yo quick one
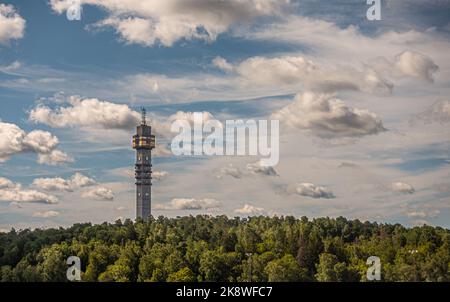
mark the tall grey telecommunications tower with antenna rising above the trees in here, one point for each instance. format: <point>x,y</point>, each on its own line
<point>143,142</point>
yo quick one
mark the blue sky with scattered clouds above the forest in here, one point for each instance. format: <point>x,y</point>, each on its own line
<point>258,59</point>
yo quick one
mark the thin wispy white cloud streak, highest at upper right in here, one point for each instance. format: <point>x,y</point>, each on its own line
<point>331,40</point>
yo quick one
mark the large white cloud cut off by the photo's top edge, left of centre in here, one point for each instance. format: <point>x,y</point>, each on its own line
<point>154,22</point>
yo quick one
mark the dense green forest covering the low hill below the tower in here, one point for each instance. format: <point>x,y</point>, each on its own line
<point>206,248</point>
